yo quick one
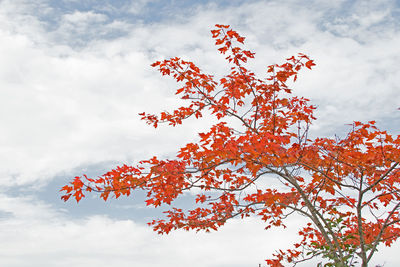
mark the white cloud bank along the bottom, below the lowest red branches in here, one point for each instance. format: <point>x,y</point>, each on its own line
<point>43,237</point>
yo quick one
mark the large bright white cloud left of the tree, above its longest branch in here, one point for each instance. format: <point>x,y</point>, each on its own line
<point>71,108</point>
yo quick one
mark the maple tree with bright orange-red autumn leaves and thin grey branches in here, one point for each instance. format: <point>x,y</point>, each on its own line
<point>258,160</point>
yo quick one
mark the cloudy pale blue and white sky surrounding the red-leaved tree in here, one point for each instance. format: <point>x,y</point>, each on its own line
<point>75,74</point>
